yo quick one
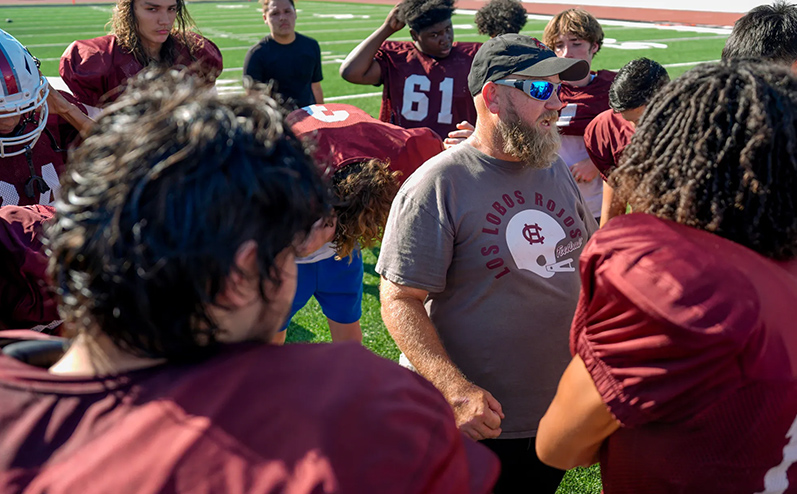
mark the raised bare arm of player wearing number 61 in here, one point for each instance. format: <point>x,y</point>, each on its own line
<point>360,66</point>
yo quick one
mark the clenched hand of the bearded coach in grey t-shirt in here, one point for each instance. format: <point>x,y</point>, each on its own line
<point>477,413</point>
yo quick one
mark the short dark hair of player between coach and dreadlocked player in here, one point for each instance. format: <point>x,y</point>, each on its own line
<point>636,83</point>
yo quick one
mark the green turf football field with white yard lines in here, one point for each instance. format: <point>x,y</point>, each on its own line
<point>235,26</point>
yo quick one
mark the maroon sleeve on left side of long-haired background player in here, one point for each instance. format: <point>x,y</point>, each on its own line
<point>85,67</point>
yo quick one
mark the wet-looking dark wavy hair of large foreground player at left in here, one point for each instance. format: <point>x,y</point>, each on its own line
<point>158,199</point>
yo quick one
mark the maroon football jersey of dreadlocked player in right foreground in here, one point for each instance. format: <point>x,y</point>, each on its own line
<point>690,339</point>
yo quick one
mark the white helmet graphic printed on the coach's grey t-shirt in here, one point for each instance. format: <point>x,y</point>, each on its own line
<point>532,237</point>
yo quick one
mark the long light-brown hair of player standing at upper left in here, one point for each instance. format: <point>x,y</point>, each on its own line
<point>123,25</point>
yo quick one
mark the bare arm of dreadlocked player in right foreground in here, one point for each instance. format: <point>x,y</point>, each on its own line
<point>577,422</point>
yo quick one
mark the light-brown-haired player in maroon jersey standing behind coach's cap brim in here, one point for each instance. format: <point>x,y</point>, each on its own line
<point>575,33</point>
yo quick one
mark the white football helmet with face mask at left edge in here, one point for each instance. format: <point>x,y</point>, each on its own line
<point>23,91</point>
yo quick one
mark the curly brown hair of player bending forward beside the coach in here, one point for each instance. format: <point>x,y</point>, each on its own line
<point>365,190</point>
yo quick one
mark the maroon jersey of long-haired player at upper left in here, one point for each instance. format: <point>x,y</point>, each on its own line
<point>94,69</point>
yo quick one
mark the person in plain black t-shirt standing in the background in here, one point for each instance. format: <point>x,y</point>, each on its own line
<point>285,58</point>
